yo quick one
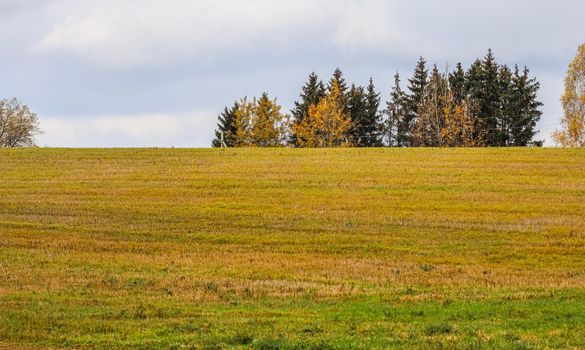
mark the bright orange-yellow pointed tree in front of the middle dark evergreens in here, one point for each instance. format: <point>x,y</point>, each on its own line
<point>326,124</point>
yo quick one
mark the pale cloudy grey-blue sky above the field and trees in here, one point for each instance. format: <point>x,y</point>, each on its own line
<point>155,73</point>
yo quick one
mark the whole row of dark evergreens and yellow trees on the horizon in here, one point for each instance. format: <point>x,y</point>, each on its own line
<point>488,104</point>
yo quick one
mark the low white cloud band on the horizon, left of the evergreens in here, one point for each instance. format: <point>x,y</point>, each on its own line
<point>159,130</point>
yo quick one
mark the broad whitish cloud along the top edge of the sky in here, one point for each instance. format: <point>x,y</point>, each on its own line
<point>115,33</point>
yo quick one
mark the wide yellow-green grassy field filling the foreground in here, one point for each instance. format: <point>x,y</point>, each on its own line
<point>299,249</point>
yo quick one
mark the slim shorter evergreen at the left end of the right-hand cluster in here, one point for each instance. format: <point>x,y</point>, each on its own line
<point>397,109</point>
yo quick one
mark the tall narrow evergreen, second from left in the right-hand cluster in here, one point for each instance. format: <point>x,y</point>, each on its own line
<point>417,90</point>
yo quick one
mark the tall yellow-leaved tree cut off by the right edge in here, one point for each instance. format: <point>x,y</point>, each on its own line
<point>573,122</point>
